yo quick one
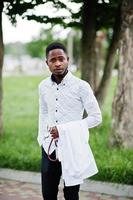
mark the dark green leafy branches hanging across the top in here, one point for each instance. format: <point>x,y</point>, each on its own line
<point>15,7</point>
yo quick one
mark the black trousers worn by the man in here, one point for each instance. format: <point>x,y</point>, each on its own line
<point>50,175</point>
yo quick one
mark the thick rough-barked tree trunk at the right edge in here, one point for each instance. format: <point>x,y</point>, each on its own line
<point>122,111</point>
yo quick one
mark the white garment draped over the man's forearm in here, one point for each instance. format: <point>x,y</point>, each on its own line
<point>74,152</point>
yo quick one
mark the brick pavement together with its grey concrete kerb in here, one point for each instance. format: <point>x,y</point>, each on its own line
<point>20,185</point>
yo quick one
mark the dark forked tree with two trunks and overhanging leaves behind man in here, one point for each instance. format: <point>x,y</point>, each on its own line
<point>89,18</point>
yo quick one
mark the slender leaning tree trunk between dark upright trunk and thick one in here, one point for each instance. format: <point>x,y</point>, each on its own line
<point>110,61</point>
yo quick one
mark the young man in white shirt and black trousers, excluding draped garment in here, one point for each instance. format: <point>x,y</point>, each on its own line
<point>63,98</point>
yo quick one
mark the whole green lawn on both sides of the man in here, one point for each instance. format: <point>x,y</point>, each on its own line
<point>19,148</point>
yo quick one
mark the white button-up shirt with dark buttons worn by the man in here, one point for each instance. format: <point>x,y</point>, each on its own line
<point>65,102</point>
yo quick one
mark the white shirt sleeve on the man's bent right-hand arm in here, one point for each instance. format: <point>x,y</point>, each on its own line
<point>90,104</point>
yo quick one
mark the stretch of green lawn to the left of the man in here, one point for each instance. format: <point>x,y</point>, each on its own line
<point>18,146</point>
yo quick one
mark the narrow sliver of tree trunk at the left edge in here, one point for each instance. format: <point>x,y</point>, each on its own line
<point>1,65</point>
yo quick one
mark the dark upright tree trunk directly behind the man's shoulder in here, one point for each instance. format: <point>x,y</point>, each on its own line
<point>88,41</point>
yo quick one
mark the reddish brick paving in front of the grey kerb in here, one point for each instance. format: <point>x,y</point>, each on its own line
<point>16,190</point>
